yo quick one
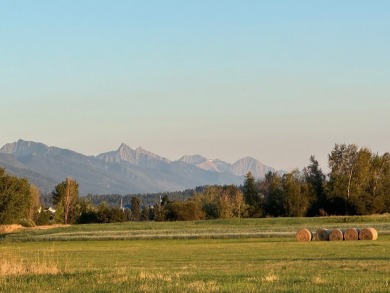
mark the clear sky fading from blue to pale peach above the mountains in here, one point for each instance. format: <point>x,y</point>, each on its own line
<point>275,80</point>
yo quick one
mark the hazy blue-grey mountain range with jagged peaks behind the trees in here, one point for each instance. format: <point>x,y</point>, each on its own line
<point>122,171</point>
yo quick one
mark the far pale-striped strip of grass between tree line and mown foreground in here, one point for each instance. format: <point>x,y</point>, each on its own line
<point>235,228</point>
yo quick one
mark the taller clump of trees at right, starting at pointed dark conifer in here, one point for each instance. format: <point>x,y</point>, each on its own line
<point>358,184</point>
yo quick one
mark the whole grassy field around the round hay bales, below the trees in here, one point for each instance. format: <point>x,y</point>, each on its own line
<point>247,255</point>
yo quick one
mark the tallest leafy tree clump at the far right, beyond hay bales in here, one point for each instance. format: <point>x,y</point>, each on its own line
<point>357,180</point>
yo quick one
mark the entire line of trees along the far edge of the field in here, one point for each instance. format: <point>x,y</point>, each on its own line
<point>358,184</point>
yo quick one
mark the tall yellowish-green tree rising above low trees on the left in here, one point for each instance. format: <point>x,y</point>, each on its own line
<point>65,198</point>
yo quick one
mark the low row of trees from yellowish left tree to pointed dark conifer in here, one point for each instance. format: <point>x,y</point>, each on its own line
<point>215,202</point>
